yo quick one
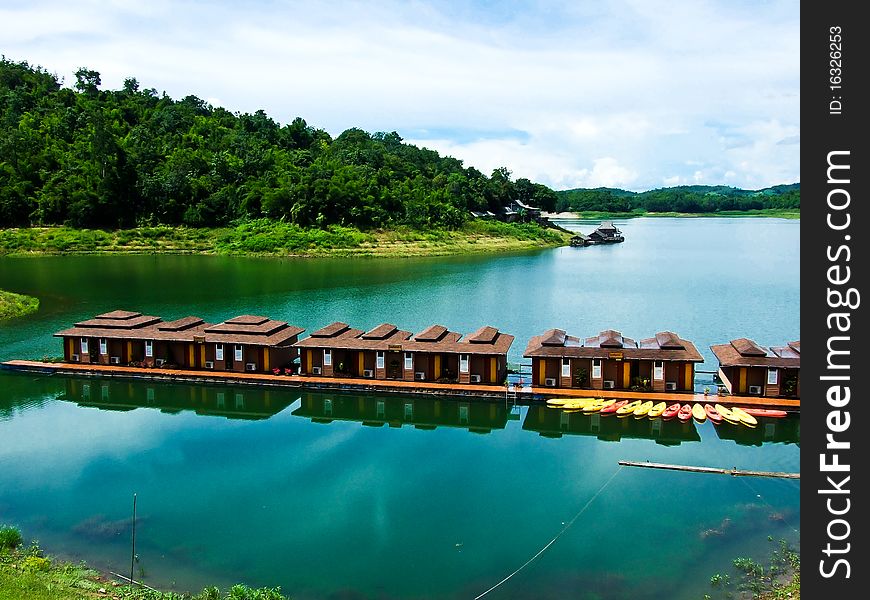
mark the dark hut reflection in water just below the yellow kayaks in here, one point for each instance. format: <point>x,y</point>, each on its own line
<point>551,422</point>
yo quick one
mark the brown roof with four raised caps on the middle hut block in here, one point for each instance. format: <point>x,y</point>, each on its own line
<point>435,338</point>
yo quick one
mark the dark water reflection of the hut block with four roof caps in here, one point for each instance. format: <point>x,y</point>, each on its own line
<point>422,413</point>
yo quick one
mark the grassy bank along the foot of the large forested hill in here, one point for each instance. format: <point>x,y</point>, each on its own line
<point>276,238</point>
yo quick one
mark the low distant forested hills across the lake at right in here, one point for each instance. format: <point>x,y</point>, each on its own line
<point>685,199</point>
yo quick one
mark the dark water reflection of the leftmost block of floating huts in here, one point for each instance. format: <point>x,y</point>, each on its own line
<point>229,402</point>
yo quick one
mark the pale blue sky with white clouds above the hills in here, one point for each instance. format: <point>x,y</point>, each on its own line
<point>635,94</point>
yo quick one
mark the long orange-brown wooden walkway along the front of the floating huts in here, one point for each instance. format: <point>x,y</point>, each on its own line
<point>525,394</point>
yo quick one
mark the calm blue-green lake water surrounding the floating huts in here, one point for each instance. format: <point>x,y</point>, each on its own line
<point>348,496</point>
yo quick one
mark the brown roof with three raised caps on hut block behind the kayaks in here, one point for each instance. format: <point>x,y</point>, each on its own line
<point>666,345</point>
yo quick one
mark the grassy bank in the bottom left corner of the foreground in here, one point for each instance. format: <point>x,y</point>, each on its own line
<point>25,572</point>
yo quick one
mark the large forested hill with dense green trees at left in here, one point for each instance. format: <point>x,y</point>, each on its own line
<point>89,157</point>
